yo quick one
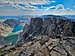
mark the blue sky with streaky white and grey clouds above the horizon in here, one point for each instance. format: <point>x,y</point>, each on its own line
<point>37,7</point>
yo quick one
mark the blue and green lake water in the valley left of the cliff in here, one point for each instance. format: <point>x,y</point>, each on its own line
<point>12,37</point>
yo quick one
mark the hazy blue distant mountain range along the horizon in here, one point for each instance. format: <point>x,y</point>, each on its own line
<point>25,16</point>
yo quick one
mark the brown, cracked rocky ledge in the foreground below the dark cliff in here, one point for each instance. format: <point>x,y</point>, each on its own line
<point>43,45</point>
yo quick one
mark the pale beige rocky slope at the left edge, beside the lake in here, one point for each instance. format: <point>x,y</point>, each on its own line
<point>5,29</point>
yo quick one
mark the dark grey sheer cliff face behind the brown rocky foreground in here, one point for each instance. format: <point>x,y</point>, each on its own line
<point>51,26</point>
